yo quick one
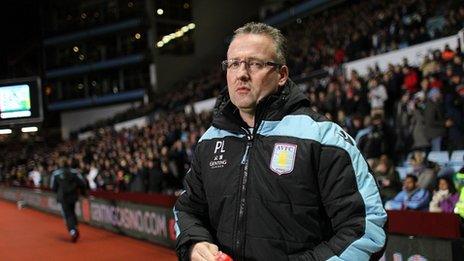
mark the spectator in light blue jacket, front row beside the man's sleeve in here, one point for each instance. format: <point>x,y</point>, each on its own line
<point>411,197</point>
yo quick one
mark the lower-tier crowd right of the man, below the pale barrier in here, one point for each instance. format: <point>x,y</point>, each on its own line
<point>394,112</point>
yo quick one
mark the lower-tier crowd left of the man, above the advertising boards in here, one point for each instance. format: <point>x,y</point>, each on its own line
<point>150,159</point>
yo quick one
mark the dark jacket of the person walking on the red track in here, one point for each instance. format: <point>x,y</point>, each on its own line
<point>68,183</point>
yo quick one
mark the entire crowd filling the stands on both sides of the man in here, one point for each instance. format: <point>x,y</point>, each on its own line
<point>389,113</point>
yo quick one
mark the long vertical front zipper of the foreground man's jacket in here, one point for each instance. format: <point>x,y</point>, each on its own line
<point>240,225</point>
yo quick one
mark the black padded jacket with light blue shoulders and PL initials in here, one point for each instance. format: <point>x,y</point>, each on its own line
<point>296,188</point>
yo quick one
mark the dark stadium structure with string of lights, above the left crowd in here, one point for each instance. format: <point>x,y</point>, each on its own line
<point>105,57</point>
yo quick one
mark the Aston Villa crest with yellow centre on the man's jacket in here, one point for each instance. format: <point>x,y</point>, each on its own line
<point>283,158</point>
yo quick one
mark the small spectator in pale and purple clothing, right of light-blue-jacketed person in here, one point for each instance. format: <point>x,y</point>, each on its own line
<point>444,197</point>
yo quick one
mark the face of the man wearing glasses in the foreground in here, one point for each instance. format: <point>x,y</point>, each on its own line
<point>247,88</point>
